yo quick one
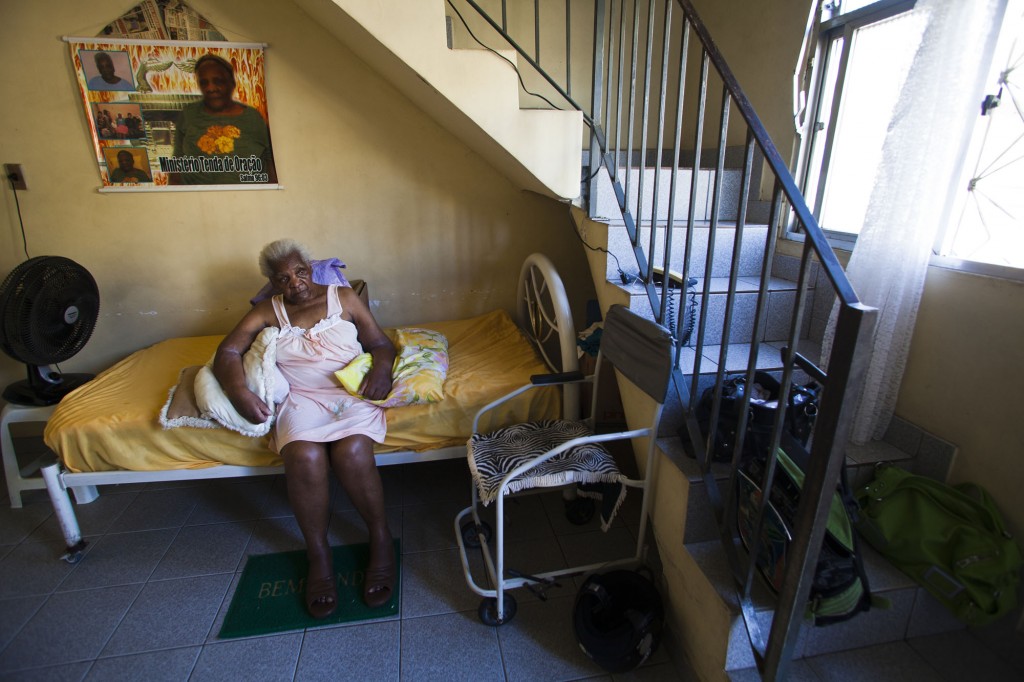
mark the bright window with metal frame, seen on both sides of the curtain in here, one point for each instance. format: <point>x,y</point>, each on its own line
<point>861,54</point>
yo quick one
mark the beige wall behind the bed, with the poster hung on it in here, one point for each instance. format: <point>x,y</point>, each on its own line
<point>369,179</point>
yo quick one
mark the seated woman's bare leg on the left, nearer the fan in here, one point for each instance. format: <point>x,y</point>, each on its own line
<point>308,479</point>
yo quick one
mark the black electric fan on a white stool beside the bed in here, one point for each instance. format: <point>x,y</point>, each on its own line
<point>49,309</point>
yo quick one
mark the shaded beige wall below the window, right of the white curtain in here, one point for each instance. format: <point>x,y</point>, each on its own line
<point>964,377</point>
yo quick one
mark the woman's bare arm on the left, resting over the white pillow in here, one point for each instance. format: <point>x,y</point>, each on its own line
<point>228,363</point>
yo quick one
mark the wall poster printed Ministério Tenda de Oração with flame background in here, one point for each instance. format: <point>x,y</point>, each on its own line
<point>167,115</point>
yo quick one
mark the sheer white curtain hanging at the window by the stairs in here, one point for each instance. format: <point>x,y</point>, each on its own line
<point>920,162</point>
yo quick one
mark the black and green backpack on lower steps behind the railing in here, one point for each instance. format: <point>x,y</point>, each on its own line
<point>839,589</point>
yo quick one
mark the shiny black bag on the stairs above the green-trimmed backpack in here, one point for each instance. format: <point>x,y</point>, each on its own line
<point>800,415</point>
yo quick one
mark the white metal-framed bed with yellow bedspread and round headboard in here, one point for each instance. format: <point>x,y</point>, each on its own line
<point>109,431</point>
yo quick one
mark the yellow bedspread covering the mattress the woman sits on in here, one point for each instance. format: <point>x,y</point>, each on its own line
<point>112,422</point>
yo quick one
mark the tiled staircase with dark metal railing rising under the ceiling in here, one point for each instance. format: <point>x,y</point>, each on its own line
<point>702,217</point>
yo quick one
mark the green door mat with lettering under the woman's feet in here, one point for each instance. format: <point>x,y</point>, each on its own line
<point>271,594</point>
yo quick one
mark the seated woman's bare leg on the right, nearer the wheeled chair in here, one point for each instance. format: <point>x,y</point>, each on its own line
<point>353,459</point>
